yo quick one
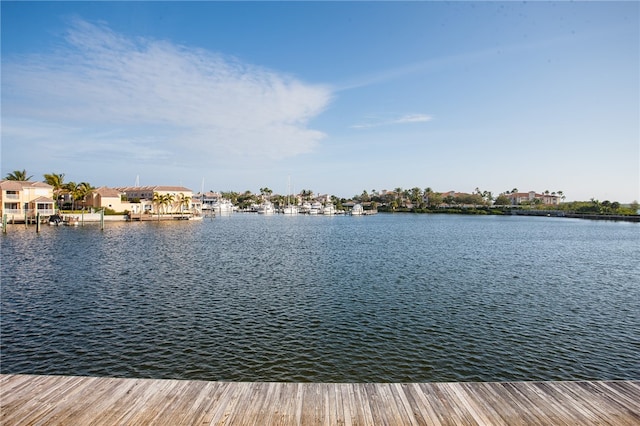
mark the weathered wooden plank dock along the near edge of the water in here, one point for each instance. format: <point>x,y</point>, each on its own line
<point>70,400</point>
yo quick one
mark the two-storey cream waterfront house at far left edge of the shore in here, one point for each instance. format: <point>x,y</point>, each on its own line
<point>21,200</point>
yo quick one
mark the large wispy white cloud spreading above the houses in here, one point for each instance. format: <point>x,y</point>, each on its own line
<point>150,100</point>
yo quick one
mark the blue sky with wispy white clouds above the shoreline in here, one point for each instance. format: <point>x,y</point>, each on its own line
<point>336,97</point>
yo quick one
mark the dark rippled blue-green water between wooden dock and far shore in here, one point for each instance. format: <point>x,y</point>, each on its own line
<point>386,298</point>
